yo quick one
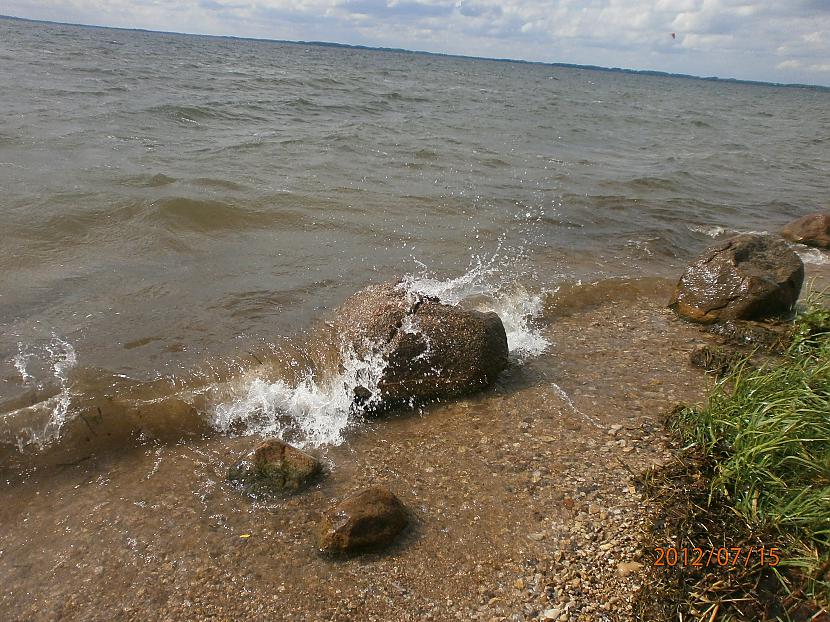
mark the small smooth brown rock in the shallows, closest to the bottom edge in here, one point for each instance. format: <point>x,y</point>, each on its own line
<point>366,521</point>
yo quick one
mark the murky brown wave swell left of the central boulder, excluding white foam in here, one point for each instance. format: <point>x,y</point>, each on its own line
<point>116,413</point>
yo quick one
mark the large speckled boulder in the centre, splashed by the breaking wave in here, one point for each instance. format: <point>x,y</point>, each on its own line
<point>429,350</point>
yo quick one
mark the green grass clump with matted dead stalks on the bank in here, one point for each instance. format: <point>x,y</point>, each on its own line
<point>756,471</point>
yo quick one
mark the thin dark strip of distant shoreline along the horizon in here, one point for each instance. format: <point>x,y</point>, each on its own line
<point>643,72</point>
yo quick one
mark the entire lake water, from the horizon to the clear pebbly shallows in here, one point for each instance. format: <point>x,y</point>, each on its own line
<point>181,214</point>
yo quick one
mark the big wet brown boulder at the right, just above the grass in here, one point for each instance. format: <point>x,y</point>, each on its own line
<point>746,277</point>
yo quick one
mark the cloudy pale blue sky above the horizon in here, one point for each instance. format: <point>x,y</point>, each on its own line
<point>775,40</point>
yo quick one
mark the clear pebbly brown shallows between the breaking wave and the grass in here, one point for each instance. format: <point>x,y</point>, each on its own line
<point>522,498</point>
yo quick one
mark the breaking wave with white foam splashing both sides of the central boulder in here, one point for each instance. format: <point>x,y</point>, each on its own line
<point>291,391</point>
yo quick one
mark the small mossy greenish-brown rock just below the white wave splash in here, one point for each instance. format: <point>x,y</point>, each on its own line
<point>274,468</point>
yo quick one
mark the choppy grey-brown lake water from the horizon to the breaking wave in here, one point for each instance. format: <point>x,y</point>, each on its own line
<point>168,202</point>
